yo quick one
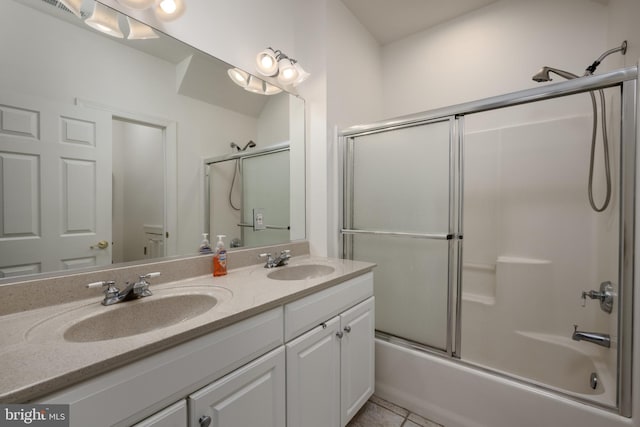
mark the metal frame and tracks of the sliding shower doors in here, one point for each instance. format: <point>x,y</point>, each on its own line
<point>627,80</point>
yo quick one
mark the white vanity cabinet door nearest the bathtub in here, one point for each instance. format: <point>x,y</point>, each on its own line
<point>357,358</point>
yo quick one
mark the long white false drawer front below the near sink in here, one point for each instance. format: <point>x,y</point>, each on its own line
<point>135,391</point>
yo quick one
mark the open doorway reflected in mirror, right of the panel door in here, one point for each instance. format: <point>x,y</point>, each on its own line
<point>138,191</point>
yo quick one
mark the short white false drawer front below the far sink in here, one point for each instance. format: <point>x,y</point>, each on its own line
<point>307,313</point>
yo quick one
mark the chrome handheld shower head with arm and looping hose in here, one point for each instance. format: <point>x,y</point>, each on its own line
<point>543,75</point>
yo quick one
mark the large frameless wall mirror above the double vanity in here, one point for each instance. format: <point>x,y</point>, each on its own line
<point>108,145</point>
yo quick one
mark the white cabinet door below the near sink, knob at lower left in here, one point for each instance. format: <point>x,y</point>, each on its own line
<point>253,395</point>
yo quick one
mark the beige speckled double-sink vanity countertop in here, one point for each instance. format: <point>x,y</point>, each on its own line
<point>36,360</point>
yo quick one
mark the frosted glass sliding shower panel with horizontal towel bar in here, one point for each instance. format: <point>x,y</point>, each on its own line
<point>400,215</point>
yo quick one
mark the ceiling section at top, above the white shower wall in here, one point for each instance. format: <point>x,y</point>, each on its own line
<point>391,20</point>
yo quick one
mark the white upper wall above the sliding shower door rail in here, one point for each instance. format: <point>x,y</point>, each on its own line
<point>491,51</point>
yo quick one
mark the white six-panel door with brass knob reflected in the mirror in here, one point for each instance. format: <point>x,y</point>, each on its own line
<point>55,186</point>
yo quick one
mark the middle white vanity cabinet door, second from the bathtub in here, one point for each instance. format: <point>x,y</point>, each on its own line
<point>313,377</point>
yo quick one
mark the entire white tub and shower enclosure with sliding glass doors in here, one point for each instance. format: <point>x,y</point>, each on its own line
<point>507,297</point>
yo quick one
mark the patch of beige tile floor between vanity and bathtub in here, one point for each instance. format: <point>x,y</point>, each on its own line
<point>380,413</point>
